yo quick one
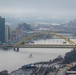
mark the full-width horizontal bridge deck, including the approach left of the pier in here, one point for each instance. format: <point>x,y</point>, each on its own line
<point>39,46</point>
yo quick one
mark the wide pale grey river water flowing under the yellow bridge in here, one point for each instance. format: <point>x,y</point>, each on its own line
<point>11,60</point>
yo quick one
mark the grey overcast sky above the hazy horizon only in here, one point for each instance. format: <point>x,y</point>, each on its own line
<point>41,8</point>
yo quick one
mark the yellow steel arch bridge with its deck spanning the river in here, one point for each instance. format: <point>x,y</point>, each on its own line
<point>21,44</point>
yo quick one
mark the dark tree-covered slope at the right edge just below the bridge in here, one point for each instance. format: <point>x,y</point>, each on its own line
<point>70,57</point>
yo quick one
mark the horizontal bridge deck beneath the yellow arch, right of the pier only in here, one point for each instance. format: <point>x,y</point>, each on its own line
<point>45,46</point>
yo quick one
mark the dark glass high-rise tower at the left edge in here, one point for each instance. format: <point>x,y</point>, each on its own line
<point>2,30</point>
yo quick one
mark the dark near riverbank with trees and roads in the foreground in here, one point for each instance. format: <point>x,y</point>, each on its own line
<point>42,67</point>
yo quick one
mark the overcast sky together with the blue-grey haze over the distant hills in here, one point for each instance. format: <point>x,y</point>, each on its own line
<point>38,10</point>
